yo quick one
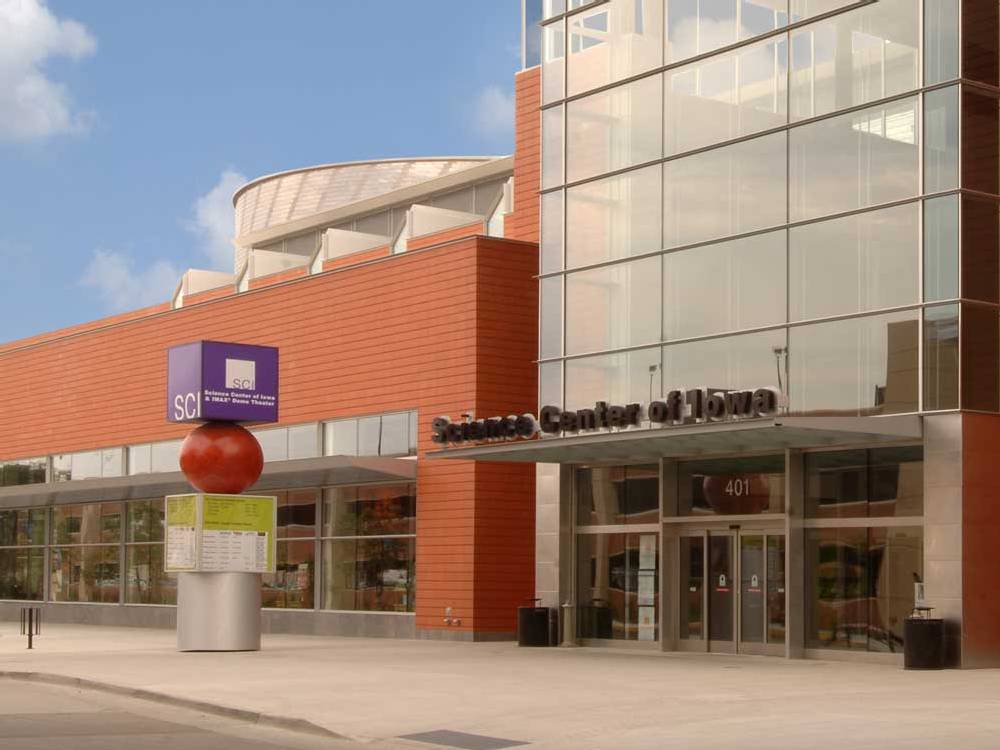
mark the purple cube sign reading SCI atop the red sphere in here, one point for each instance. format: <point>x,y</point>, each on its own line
<point>216,380</point>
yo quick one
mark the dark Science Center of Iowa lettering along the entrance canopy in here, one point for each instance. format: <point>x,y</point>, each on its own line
<point>679,407</point>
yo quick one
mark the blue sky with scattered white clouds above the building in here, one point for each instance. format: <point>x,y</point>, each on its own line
<point>125,126</point>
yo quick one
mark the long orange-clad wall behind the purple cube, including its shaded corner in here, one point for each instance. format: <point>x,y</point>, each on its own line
<point>444,330</point>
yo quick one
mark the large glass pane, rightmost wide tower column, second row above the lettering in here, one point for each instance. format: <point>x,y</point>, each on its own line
<point>863,262</point>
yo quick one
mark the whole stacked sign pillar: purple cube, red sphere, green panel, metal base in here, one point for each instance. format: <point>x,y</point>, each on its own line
<point>218,541</point>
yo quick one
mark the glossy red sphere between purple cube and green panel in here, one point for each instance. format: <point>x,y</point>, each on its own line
<point>221,457</point>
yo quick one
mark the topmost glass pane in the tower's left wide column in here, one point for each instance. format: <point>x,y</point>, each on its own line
<point>613,41</point>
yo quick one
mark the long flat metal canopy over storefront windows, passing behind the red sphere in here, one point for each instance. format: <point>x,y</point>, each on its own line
<point>280,475</point>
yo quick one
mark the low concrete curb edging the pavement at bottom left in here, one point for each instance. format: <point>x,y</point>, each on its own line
<point>253,717</point>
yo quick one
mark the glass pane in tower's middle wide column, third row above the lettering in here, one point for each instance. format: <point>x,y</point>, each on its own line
<point>725,191</point>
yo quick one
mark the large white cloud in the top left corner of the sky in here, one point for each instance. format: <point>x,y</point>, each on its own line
<point>32,105</point>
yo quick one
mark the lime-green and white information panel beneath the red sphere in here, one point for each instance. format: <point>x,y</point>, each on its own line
<point>220,533</point>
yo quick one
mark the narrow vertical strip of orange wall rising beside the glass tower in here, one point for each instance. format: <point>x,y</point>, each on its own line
<point>523,224</point>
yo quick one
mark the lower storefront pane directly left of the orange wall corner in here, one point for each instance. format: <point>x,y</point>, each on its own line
<point>374,575</point>
